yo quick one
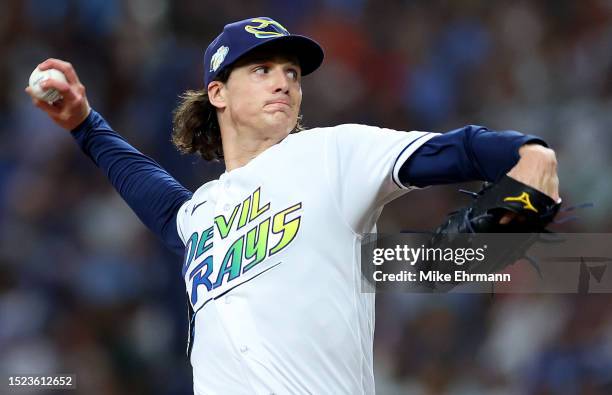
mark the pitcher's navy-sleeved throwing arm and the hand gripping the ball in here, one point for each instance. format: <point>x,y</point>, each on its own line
<point>149,190</point>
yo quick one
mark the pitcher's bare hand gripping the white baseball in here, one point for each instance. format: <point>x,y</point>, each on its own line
<point>70,111</point>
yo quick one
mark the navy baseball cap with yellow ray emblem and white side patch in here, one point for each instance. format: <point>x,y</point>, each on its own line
<point>239,38</point>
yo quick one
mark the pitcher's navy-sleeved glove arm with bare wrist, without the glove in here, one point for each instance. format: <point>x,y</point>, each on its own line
<point>477,153</point>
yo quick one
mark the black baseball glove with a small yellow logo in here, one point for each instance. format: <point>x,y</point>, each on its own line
<point>533,211</point>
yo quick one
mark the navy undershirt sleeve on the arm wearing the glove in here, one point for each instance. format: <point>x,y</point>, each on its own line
<point>467,154</point>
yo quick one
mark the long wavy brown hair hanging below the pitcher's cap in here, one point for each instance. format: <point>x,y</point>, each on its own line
<point>195,127</point>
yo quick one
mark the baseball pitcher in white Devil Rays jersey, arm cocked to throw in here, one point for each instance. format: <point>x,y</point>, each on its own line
<point>271,249</point>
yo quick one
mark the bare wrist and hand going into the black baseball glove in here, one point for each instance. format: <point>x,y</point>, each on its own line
<point>537,168</point>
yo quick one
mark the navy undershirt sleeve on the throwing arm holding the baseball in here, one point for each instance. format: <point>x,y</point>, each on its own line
<point>153,194</point>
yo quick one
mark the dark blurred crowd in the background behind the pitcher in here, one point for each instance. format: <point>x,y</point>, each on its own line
<point>86,289</point>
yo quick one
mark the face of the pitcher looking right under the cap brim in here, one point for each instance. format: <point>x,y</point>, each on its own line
<point>262,95</point>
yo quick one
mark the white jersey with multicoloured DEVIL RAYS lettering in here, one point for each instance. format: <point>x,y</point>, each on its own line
<point>272,265</point>
